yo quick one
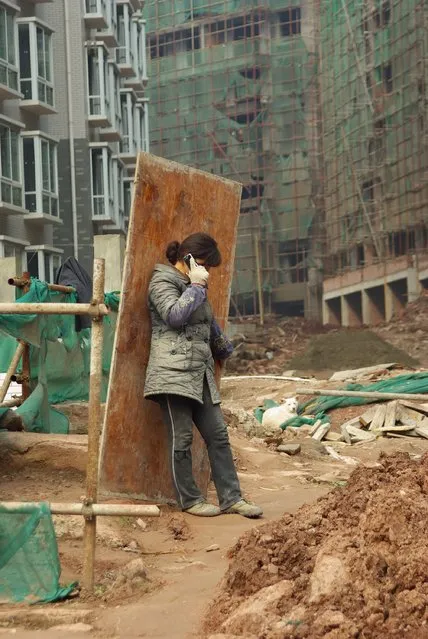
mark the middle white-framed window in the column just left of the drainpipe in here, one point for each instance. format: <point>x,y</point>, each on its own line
<point>40,174</point>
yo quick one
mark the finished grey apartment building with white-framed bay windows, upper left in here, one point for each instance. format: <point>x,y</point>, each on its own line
<point>73,116</point>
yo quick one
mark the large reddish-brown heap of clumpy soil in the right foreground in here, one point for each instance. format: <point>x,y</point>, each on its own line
<point>353,564</point>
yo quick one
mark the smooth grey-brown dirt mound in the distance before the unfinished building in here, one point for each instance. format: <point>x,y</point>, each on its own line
<point>345,349</point>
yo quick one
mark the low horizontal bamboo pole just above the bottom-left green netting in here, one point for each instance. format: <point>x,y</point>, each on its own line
<point>94,510</point>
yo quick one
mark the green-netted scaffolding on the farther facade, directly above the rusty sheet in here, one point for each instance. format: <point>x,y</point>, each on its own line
<point>234,92</point>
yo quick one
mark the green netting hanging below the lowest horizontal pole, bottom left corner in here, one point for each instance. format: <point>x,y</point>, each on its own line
<point>29,561</point>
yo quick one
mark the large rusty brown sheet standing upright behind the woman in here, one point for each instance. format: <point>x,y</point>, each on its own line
<point>170,202</point>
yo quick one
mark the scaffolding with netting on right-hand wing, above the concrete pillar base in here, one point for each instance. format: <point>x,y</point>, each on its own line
<point>373,81</point>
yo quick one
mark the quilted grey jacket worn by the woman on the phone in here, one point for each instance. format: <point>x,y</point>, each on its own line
<point>181,356</point>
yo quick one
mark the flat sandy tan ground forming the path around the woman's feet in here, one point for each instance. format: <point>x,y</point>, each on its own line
<point>182,575</point>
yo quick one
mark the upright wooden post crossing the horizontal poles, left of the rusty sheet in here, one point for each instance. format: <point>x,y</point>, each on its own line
<point>94,419</point>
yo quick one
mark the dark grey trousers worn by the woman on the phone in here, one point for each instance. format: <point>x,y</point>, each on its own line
<point>180,414</point>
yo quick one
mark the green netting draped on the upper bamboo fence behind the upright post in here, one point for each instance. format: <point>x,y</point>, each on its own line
<point>59,357</point>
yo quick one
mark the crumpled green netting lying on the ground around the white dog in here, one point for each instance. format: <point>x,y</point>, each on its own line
<point>317,408</point>
